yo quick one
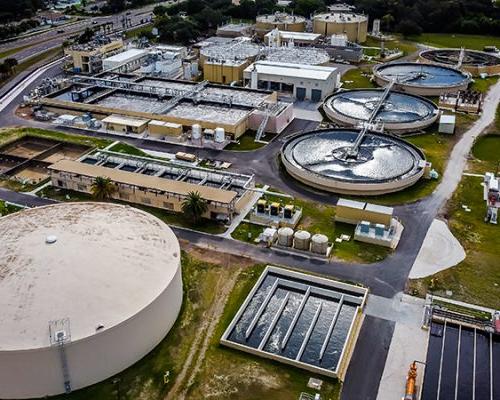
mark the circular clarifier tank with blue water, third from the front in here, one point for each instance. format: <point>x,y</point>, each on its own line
<point>421,79</point>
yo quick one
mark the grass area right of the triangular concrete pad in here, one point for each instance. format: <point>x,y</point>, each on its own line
<point>476,279</point>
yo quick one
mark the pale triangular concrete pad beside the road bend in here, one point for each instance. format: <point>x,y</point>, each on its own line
<point>440,250</point>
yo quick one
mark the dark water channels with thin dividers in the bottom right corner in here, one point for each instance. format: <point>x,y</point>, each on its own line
<point>462,364</point>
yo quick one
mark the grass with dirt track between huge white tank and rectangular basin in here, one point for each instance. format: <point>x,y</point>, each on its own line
<point>223,373</point>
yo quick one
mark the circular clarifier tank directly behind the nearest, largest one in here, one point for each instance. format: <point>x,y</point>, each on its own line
<point>400,112</point>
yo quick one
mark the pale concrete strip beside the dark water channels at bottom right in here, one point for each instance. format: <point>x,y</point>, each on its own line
<point>408,344</point>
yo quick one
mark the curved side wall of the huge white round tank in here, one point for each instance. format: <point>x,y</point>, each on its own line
<point>37,373</point>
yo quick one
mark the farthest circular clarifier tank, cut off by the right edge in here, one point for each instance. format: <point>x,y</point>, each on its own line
<point>474,62</point>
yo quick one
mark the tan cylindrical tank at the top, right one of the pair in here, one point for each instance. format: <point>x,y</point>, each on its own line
<point>355,26</point>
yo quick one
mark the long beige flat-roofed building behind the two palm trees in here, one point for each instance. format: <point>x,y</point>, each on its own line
<point>149,190</point>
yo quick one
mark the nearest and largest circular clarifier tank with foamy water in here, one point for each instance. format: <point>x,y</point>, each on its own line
<point>324,159</point>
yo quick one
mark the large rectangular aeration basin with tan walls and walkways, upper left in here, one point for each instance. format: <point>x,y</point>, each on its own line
<point>179,102</point>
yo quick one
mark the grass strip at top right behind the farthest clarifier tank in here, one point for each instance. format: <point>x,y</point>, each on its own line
<point>473,42</point>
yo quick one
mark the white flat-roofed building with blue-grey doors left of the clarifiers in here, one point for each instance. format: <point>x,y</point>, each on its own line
<point>303,82</point>
